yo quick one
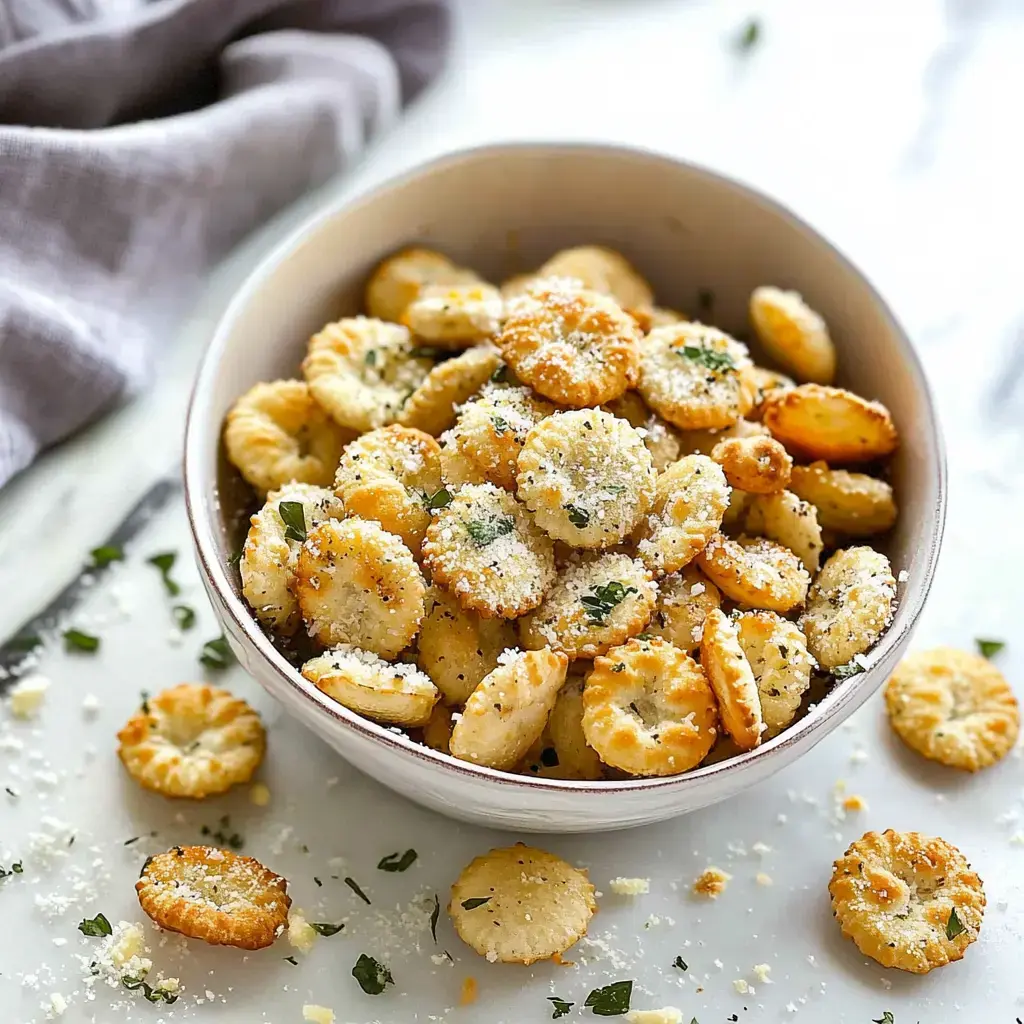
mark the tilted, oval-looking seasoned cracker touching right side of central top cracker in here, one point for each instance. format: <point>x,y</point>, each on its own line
<point>692,498</point>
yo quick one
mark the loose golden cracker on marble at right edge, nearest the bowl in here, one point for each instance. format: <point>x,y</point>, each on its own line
<point>954,708</point>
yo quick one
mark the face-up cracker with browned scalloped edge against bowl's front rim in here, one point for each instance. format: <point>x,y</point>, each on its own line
<point>649,709</point>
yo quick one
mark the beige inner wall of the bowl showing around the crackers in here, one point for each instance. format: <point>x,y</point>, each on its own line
<point>503,210</point>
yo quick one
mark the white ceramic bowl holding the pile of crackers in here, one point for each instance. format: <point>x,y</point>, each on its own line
<point>505,209</point>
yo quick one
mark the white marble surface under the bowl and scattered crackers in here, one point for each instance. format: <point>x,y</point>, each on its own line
<point>892,131</point>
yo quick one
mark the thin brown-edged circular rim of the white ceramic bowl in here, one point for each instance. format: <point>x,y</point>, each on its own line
<point>820,720</point>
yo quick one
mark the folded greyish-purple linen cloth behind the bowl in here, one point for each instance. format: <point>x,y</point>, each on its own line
<point>139,142</point>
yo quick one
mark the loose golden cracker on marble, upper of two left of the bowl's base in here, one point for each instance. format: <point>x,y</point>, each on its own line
<point>192,741</point>
